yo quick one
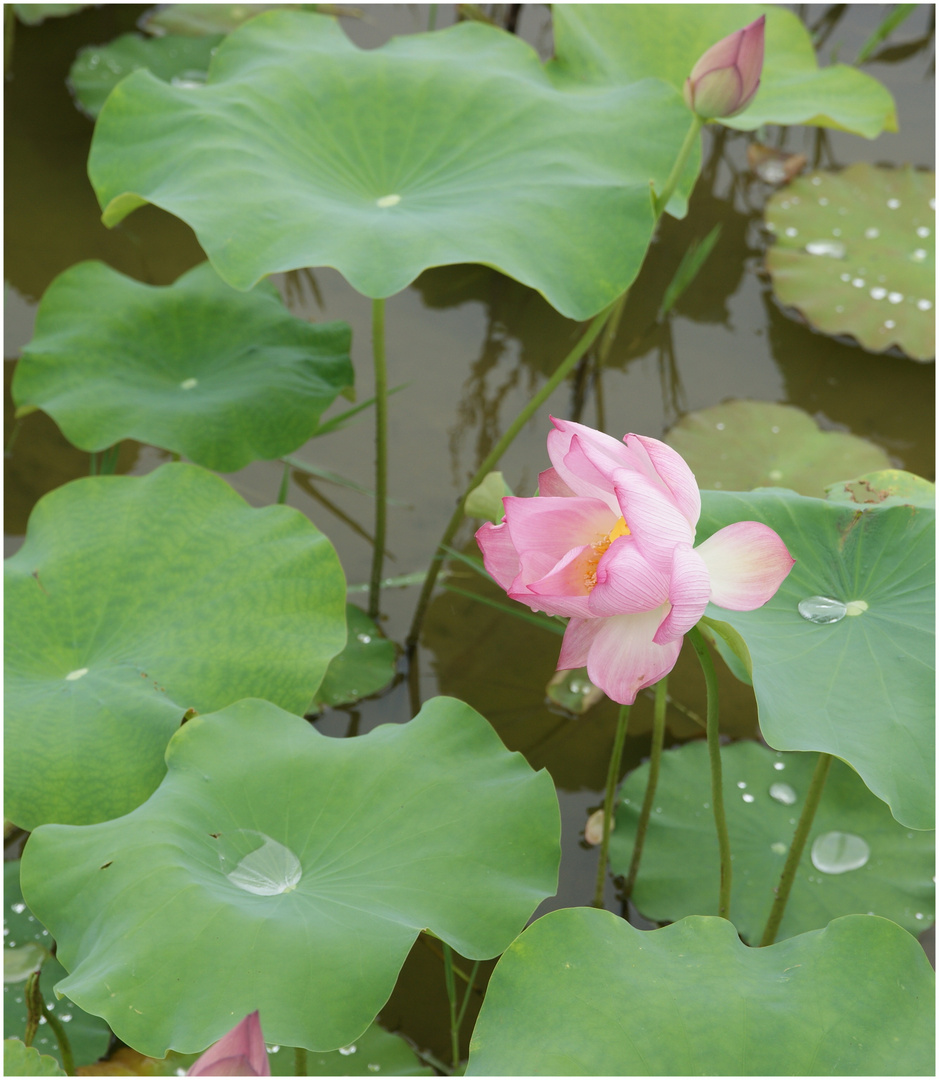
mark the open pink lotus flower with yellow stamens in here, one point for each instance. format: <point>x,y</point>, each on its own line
<point>610,543</point>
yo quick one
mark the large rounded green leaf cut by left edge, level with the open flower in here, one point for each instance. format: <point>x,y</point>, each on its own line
<point>135,600</point>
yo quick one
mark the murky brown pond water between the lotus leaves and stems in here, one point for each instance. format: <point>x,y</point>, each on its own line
<point>469,348</point>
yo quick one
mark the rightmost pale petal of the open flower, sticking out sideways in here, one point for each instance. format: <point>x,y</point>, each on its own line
<point>747,562</point>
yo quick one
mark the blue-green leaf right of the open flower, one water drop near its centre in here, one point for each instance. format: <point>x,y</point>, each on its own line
<point>853,678</point>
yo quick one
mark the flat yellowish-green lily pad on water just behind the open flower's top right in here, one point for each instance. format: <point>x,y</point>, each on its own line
<point>742,445</point>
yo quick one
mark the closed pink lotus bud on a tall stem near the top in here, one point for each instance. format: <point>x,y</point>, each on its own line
<point>726,79</point>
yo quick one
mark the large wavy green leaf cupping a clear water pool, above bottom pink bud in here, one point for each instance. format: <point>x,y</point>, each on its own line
<point>280,870</point>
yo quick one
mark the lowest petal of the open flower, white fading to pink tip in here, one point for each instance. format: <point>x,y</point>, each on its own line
<point>623,659</point>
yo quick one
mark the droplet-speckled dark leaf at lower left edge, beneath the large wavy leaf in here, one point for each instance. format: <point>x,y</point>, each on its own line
<point>88,1036</point>
